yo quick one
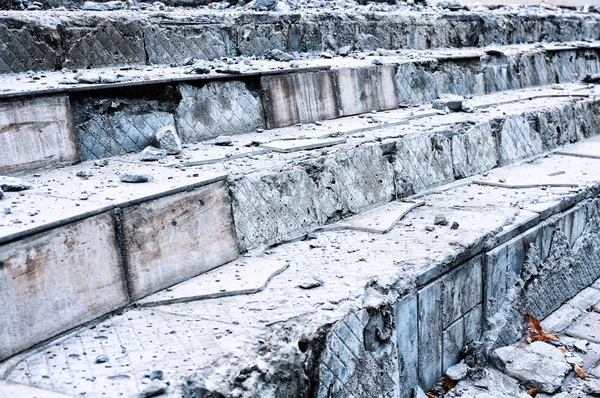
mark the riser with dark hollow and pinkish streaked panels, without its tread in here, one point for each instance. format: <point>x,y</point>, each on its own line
<point>64,129</point>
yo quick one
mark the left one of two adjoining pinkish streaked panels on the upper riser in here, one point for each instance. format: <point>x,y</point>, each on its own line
<point>299,98</point>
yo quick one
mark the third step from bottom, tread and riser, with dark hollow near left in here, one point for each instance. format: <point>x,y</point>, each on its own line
<point>49,124</point>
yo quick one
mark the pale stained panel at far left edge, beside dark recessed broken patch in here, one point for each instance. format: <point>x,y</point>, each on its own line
<point>36,133</point>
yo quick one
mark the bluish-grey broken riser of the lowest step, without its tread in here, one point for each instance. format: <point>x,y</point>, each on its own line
<point>424,331</point>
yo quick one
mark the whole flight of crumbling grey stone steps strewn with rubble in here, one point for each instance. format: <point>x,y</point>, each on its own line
<point>345,237</point>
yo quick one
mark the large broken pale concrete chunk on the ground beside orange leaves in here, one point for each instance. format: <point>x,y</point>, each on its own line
<point>539,365</point>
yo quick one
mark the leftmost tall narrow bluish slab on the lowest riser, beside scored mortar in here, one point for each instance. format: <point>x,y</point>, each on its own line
<point>405,317</point>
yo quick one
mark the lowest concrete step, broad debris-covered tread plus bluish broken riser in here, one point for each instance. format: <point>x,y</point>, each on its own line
<point>346,304</point>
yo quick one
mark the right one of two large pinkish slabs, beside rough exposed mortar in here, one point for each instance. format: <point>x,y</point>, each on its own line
<point>174,238</point>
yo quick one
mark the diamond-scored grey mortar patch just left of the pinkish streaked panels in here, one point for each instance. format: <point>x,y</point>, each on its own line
<point>218,108</point>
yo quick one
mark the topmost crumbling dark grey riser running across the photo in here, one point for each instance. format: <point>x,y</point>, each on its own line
<point>78,40</point>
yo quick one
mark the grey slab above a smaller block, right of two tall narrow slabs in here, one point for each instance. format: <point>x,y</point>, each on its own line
<point>462,290</point>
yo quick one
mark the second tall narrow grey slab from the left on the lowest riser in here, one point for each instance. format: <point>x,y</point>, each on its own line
<point>430,334</point>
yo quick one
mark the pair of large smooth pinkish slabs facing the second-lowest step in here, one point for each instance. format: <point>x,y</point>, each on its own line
<point>56,280</point>
